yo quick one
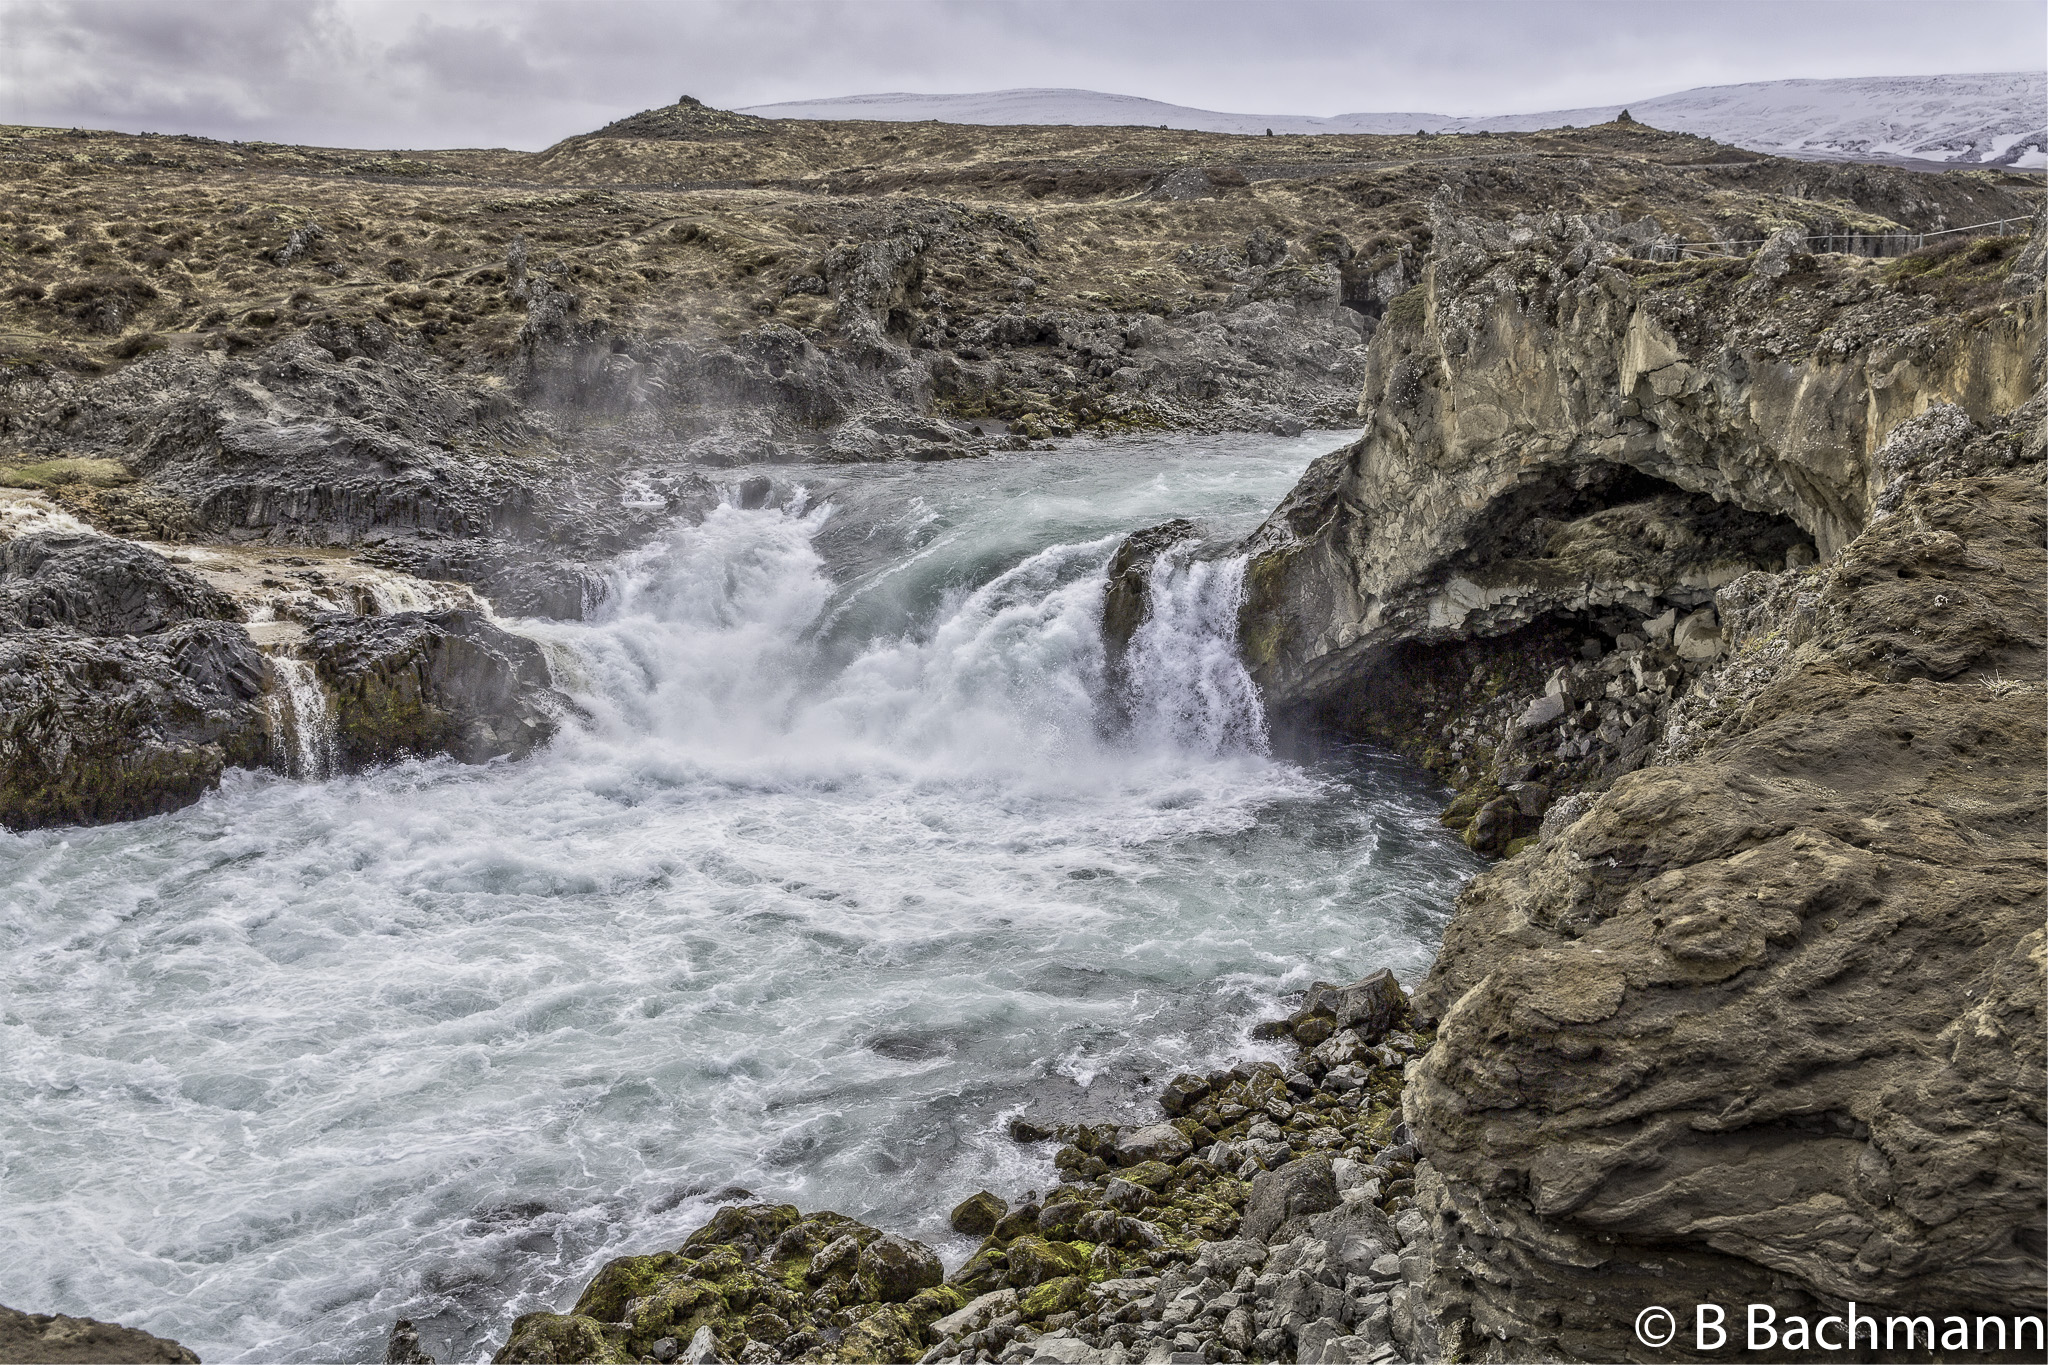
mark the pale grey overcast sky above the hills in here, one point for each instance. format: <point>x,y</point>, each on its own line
<point>527,73</point>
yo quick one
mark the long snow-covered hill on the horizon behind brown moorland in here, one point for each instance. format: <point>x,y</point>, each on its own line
<point>1990,120</point>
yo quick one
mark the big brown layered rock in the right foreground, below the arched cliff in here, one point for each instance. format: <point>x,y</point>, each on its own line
<point>1764,1020</point>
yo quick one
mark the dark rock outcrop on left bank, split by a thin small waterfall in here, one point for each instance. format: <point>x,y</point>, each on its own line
<point>130,685</point>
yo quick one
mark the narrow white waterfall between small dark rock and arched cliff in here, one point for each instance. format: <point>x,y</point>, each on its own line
<point>1185,678</point>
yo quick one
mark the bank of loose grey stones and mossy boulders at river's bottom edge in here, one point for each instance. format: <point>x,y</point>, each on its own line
<point>1273,1213</point>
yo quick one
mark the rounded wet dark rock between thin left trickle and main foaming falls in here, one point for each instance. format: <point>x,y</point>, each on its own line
<point>433,682</point>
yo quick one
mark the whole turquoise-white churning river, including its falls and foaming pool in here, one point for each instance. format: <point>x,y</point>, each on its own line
<point>849,858</point>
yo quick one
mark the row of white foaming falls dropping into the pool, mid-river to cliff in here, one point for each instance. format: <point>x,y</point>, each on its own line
<point>712,652</point>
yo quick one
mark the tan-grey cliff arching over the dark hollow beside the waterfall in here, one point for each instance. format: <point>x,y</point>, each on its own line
<point>1558,427</point>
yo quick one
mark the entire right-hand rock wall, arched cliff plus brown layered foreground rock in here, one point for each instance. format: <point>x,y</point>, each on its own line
<point>1754,1012</point>
